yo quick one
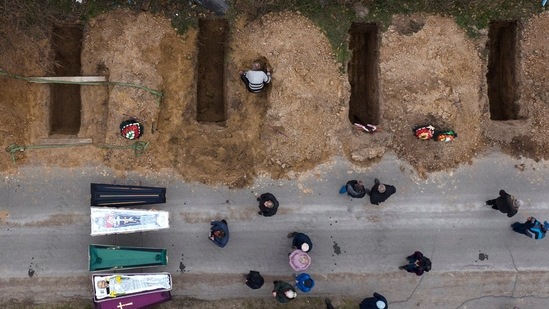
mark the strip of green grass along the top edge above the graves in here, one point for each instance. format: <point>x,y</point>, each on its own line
<point>334,17</point>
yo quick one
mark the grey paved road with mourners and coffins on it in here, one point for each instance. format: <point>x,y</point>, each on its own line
<point>478,262</point>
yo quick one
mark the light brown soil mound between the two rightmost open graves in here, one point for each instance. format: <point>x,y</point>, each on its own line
<point>431,74</point>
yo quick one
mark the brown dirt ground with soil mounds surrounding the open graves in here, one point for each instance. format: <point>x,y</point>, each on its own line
<point>430,72</point>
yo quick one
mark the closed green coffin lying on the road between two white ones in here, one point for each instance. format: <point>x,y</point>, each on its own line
<point>104,257</point>
